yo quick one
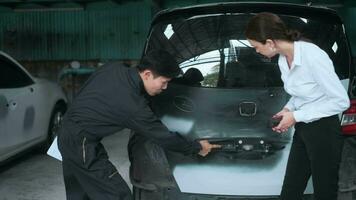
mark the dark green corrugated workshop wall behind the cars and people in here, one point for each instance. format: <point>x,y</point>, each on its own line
<point>47,35</point>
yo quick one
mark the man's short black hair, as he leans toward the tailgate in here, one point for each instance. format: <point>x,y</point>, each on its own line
<point>161,63</point>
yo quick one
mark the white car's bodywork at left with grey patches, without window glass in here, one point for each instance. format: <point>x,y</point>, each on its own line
<point>26,112</point>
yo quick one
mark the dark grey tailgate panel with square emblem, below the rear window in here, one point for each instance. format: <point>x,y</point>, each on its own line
<point>219,113</point>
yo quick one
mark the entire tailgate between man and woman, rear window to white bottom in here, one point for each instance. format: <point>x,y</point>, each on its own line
<point>234,93</point>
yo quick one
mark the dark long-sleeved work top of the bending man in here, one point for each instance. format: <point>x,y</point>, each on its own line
<point>113,99</point>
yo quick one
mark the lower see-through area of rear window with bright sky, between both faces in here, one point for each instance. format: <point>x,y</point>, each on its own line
<point>236,66</point>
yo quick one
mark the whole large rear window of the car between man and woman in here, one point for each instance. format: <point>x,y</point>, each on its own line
<point>220,55</point>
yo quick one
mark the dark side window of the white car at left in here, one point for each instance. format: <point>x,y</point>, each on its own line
<point>11,76</point>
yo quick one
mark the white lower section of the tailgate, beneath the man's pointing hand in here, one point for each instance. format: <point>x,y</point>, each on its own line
<point>240,177</point>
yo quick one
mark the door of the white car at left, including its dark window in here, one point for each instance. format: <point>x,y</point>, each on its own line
<point>17,112</point>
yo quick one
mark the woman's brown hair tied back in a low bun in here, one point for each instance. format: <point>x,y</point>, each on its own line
<point>266,25</point>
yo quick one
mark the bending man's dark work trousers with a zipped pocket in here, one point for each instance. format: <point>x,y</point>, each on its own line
<point>88,174</point>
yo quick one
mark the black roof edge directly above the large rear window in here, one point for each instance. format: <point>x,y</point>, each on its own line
<point>311,12</point>
